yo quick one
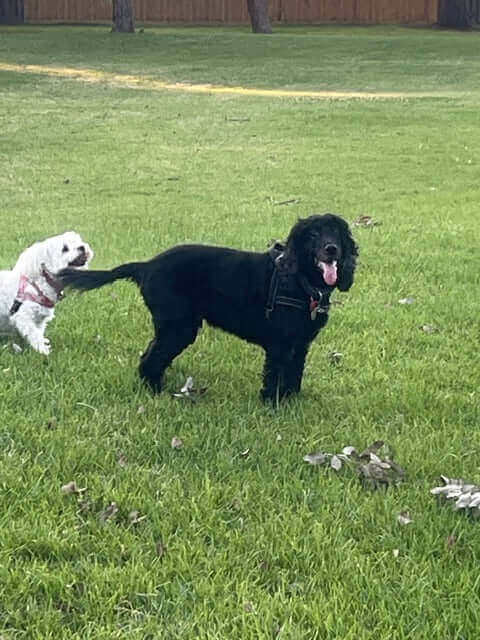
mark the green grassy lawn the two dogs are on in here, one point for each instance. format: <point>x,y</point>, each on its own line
<point>234,546</point>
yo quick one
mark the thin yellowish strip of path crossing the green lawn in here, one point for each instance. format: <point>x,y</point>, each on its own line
<point>146,82</point>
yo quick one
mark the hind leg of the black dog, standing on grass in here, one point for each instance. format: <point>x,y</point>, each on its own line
<point>168,343</point>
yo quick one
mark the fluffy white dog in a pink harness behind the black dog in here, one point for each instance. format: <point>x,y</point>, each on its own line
<point>30,291</point>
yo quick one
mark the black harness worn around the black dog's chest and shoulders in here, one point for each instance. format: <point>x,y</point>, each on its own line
<point>317,301</point>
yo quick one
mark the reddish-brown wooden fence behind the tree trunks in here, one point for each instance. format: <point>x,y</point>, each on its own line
<point>235,11</point>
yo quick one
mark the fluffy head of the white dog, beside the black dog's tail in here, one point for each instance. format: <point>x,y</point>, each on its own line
<point>66,250</point>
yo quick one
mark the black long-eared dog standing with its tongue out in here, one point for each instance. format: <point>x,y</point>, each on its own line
<point>278,299</point>
